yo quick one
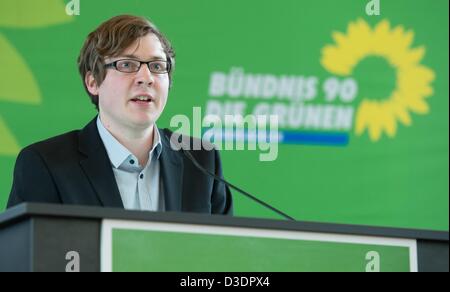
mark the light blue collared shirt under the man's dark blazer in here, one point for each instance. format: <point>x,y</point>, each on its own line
<point>140,187</point>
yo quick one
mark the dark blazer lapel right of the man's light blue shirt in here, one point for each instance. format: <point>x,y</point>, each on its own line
<point>171,165</point>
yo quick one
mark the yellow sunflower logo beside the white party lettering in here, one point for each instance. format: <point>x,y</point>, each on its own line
<point>413,80</point>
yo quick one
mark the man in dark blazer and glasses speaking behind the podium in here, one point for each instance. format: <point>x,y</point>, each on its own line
<point>121,159</point>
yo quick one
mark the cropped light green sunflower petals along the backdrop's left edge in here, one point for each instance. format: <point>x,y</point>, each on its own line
<point>18,84</point>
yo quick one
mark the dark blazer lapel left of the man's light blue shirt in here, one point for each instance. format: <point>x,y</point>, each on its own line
<point>97,166</point>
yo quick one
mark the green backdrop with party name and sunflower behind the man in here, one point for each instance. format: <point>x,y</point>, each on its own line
<point>388,166</point>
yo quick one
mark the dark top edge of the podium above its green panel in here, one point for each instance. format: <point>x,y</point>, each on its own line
<point>27,210</point>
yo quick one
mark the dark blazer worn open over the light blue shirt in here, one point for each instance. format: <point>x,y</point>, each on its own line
<point>75,169</point>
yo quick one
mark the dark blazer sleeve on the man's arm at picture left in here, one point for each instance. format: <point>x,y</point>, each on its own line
<point>32,180</point>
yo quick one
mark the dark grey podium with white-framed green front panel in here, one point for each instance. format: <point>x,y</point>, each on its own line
<point>44,237</point>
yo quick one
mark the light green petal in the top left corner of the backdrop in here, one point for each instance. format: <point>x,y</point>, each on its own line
<point>32,13</point>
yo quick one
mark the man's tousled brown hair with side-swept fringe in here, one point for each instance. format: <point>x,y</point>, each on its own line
<point>110,39</point>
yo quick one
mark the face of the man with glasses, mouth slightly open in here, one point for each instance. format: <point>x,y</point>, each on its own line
<point>119,91</point>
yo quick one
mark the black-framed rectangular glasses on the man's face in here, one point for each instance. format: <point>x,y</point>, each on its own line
<point>133,66</point>
